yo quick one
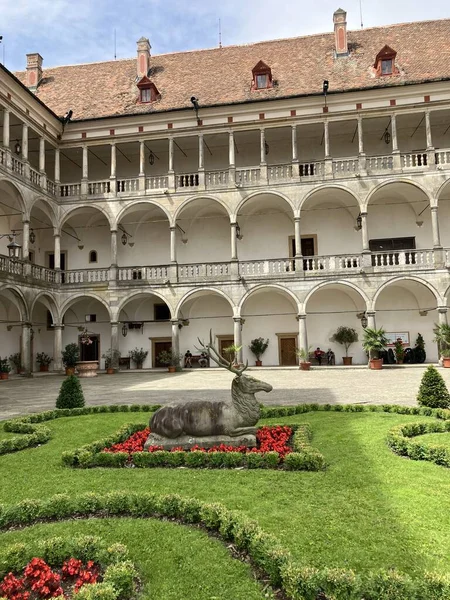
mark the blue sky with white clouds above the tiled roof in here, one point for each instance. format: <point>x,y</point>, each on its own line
<point>78,31</point>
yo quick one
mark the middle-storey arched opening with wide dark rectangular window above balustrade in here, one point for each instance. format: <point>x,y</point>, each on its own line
<point>399,220</point>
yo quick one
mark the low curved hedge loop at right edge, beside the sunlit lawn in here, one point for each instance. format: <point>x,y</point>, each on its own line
<point>400,442</point>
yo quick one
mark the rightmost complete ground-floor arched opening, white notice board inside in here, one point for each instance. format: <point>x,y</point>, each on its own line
<point>408,307</point>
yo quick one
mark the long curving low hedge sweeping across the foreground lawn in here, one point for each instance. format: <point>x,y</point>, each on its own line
<point>266,553</point>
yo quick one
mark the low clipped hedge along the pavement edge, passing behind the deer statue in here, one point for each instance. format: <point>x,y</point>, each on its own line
<point>35,435</point>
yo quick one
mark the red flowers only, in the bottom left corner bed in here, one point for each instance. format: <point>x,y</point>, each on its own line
<point>40,581</point>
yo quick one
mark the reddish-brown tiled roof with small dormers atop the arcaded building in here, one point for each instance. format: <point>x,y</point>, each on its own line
<point>224,75</point>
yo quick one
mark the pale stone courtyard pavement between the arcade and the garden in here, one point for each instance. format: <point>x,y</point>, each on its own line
<point>290,386</point>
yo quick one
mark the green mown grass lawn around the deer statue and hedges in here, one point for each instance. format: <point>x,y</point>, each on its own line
<point>371,508</point>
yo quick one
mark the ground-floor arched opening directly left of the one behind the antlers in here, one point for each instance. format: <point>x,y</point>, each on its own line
<point>144,322</point>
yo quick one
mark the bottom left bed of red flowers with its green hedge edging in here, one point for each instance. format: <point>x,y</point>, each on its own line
<point>61,568</point>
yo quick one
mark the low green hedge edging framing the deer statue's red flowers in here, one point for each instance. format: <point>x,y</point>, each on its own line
<point>303,458</point>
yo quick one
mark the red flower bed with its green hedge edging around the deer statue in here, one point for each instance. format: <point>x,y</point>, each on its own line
<point>279,446</point>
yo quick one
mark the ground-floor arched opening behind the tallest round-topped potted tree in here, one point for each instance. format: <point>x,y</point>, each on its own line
<point>329,307</point>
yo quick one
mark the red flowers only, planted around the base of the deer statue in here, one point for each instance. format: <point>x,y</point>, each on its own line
<point>269,439</point>
